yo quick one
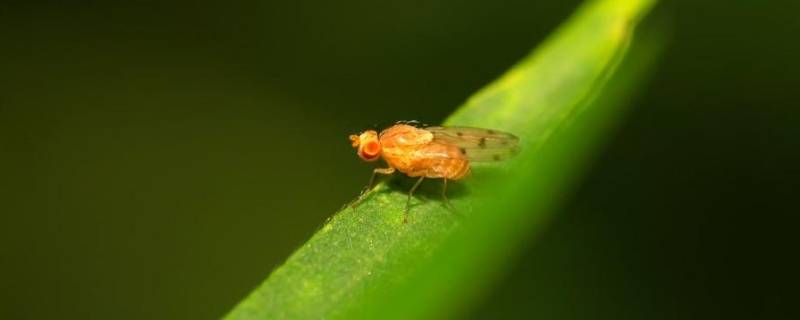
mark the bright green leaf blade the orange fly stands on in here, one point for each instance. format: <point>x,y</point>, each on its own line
<point>561,99</point>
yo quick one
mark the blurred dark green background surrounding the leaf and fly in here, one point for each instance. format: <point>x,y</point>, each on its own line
<point>159,159</point>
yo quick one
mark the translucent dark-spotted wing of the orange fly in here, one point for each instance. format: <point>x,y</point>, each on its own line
<point>478,144</point>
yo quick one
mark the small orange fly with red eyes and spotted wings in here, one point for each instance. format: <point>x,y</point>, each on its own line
<point>432,152</point>
